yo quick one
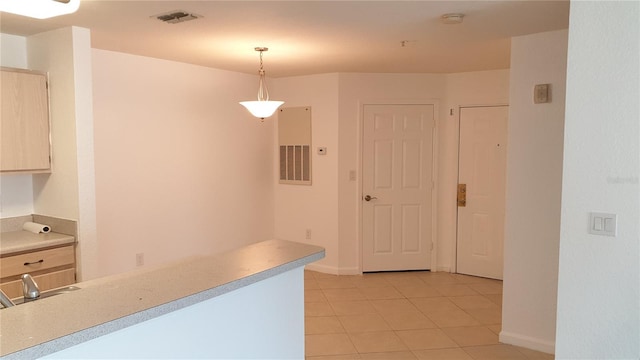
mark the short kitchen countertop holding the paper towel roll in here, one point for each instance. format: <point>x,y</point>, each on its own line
<point>20,241</point>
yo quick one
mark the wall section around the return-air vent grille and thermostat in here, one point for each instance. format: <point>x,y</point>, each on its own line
<point>302,207</point>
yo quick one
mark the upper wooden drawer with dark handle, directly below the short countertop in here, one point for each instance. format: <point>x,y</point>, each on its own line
<point>36,261</point>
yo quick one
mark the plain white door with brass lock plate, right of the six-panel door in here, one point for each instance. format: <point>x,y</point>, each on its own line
<point>482,169</point>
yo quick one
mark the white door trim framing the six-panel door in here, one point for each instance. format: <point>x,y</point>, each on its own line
<point>359,159</point>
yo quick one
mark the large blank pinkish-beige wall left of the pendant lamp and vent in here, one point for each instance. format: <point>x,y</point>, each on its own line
<point>181,168</point>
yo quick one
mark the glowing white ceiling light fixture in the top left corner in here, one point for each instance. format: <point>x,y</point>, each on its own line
<point>39,9</point>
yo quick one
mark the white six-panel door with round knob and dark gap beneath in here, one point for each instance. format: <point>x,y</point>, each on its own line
<point>397,183</point>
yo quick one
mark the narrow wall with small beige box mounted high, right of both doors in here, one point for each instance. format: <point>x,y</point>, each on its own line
<point>534,190</point>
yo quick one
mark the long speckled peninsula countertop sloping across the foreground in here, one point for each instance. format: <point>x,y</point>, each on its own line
<point>112,303</point>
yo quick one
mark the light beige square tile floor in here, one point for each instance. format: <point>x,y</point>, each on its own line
<point>406,315</point>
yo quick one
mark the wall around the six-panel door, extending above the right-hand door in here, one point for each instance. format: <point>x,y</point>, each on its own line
<point>448,91</point>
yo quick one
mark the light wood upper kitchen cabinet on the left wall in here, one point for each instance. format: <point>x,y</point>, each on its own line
<point>24,126</point>
